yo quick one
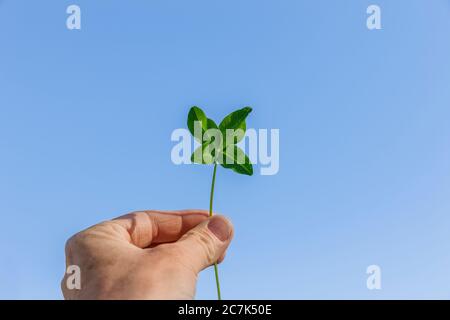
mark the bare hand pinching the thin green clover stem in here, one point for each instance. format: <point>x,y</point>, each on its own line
<point>146,255</point>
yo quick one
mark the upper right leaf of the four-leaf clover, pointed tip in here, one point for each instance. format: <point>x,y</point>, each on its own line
<point>236,122</point>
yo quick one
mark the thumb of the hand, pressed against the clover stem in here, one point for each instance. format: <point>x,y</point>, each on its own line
<point>206,243</point>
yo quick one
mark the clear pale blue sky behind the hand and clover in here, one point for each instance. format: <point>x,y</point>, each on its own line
<point>86,118</point>
